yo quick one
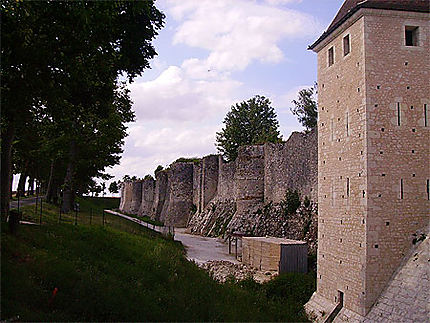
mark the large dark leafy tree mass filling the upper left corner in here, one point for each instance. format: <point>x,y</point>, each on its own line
<point>61,62</point>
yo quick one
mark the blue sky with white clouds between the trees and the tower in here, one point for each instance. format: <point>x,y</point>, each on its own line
<point>212,54</point>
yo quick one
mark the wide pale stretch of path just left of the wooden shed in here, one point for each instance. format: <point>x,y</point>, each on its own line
<point>202,249</point>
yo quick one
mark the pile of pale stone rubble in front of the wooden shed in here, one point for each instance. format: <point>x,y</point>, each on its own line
<point>221,271</point>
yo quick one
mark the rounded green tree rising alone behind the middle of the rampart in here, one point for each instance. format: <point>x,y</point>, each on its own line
<point>247,123</point>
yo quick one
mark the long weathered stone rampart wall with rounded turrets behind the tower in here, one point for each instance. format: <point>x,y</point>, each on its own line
<point>212,196</point>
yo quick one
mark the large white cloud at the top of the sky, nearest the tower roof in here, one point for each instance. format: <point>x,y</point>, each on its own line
<point>238,32</point>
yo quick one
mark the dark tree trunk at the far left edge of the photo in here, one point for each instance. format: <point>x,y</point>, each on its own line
<point>6,168</point>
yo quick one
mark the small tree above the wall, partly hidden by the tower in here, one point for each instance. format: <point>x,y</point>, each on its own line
<point>305,107</point>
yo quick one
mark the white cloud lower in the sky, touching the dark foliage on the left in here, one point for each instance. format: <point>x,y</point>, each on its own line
<point>178,94</point>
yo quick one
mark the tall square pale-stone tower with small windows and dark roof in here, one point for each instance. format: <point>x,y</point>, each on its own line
<point>373,148</point>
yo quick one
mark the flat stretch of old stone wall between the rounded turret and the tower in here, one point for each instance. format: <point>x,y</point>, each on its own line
<point>291,165</point>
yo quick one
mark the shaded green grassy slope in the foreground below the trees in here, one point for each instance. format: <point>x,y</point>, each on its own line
<point>103,274</point>
